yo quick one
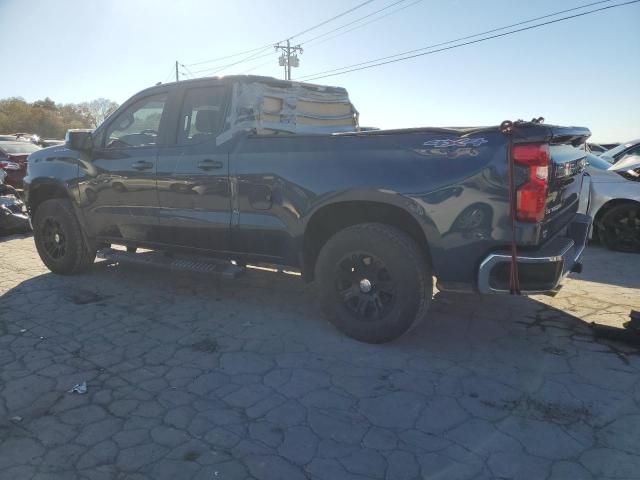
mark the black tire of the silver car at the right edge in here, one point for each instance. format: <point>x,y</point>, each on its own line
<point>619,228</point>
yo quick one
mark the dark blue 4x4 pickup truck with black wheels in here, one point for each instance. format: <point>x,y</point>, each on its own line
<point>254,170</point>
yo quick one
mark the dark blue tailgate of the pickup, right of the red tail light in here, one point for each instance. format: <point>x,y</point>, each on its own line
<point>566,171</point>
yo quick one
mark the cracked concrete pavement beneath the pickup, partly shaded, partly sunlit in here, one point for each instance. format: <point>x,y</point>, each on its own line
<point>201,378</point>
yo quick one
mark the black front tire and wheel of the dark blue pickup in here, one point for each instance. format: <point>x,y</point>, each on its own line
<point>68,252</point>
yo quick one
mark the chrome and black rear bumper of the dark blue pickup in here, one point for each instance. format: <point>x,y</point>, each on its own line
<point>540,270</point>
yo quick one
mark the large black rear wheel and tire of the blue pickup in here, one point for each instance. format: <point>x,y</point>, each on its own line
<point>374,282</point>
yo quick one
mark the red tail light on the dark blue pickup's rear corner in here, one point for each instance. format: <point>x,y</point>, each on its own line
<point>531,196</point>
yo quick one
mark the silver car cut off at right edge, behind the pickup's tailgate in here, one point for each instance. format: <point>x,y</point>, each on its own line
<point>615,202</point>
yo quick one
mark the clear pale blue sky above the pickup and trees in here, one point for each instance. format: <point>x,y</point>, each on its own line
<point>584,71</point>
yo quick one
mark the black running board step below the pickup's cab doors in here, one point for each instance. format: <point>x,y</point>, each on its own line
<point>173,262</point>
